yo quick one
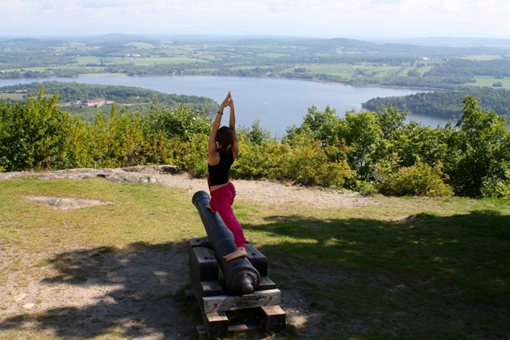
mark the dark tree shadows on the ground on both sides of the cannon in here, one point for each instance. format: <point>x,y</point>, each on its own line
<point>419,276</point>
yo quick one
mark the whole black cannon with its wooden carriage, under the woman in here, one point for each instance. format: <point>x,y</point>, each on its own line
<point>226,290</point>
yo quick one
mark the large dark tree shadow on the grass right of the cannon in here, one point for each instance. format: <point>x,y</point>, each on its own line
<point>418,276</point>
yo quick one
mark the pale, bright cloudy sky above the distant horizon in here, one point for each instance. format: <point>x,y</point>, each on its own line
<point>299,18</point>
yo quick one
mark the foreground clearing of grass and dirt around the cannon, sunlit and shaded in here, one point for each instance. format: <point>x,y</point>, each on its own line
<point>396,267</point>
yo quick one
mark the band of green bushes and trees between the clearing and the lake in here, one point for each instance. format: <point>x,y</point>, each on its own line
<point>365,151</point>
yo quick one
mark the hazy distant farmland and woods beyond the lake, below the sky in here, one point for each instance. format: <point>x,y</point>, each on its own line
<point>352,62</point>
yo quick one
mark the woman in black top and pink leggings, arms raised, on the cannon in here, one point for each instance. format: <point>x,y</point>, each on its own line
<point>222,149</point>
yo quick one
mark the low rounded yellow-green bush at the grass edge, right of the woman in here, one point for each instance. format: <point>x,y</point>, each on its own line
<point>417,180</point>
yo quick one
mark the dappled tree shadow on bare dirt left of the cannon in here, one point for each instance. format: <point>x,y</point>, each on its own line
<point>133,293</point>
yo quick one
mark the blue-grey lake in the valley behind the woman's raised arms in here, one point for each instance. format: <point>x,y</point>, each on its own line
<point>276,103</point>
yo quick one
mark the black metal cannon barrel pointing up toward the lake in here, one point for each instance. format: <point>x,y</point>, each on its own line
<point>240,275</point>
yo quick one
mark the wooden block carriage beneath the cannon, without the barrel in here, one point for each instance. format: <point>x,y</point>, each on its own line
<point>224,314</point>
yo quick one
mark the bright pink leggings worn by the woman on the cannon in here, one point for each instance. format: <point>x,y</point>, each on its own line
<point>221,201</point>
